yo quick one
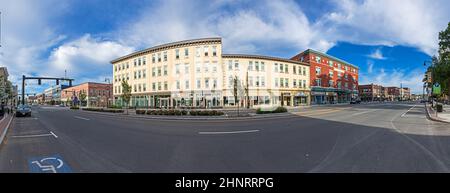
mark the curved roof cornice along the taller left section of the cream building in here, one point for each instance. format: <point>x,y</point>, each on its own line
<point>169,45</point>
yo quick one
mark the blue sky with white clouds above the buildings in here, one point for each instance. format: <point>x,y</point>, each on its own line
<point>388,39</point>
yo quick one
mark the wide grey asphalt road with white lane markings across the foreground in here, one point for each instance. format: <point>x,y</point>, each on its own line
<point>386,137</point>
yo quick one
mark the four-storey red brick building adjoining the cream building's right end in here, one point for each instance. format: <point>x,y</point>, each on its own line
<point>332,80</point>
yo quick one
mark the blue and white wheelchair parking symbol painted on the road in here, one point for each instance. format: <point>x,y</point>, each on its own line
<point>48,164</point>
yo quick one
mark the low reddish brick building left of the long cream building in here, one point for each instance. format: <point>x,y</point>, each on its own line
<point>97,94</point>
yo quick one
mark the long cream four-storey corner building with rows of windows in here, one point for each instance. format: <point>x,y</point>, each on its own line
<point>195,73</point>
